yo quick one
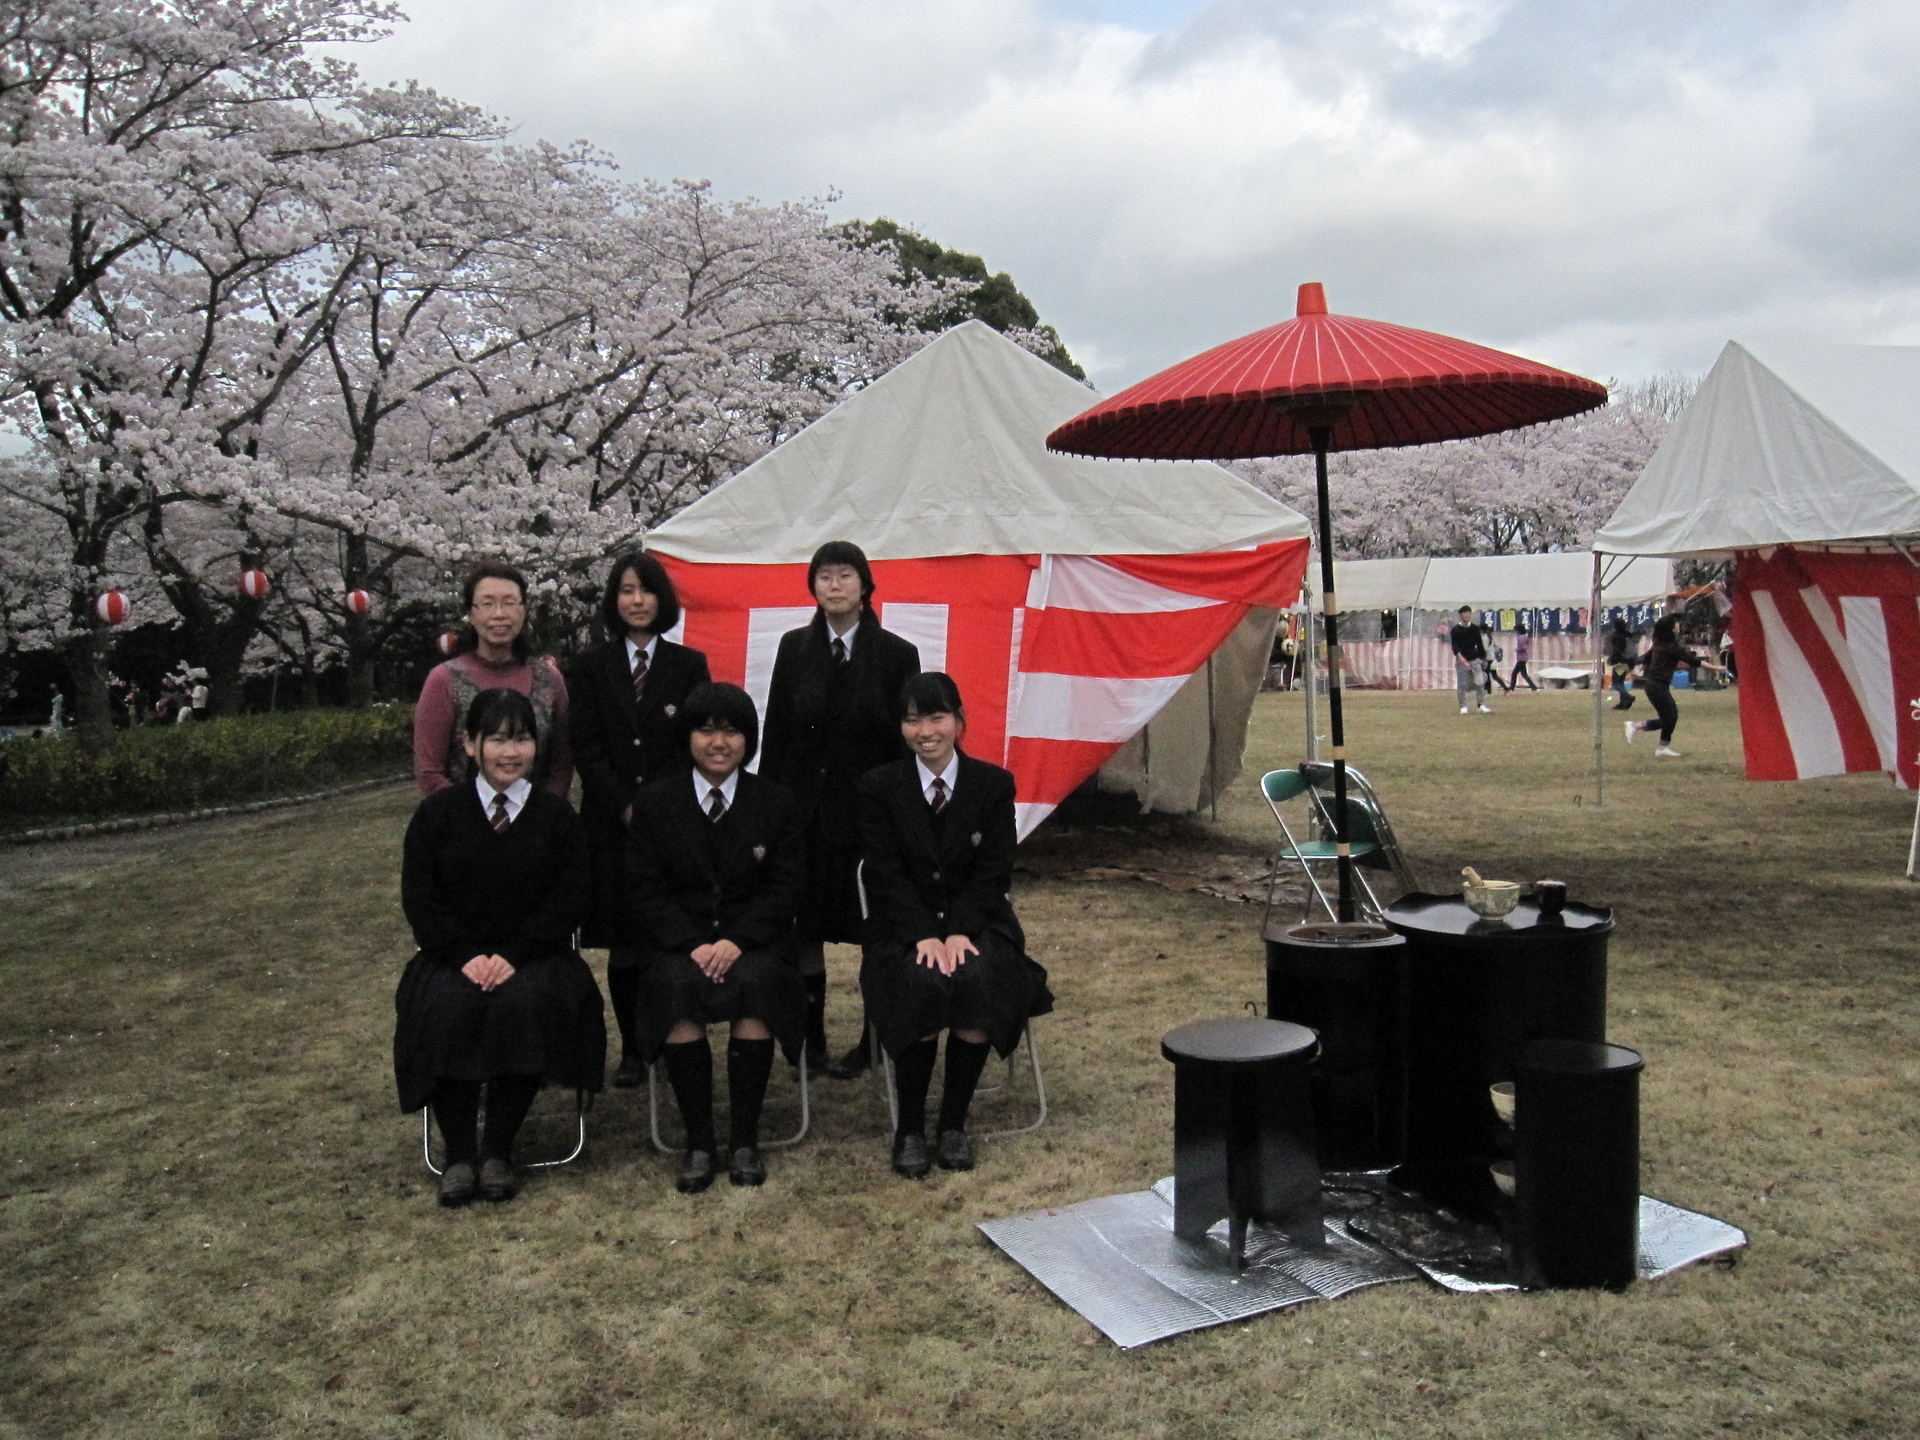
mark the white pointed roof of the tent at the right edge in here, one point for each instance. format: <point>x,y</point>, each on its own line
<point>1783,444</point>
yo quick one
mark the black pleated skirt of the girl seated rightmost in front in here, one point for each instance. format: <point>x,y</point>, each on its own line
<point>996,992</point>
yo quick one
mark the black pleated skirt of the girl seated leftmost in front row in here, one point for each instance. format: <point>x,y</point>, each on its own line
<point>548,1020</point>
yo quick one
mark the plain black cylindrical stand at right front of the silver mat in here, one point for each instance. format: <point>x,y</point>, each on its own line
<point>1577,1164</point>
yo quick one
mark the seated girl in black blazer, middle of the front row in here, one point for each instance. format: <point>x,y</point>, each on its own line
<point>715,869</point>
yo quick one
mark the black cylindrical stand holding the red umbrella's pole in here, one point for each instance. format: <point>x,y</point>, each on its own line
<point>1351,986</point>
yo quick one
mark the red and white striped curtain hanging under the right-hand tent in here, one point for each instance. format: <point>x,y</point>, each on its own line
<point>1829,654</point>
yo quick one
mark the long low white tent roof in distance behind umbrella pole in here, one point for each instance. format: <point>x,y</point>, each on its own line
<point>1493,583</point>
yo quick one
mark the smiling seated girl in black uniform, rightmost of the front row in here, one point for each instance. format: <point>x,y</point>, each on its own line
<point>944,946</point>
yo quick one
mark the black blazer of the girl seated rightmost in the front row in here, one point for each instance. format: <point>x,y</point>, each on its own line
<point>930,878</point>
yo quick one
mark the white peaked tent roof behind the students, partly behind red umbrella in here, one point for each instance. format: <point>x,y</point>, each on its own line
<point>948,456</point>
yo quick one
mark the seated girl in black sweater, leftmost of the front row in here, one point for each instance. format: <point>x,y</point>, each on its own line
<point>496,997</point>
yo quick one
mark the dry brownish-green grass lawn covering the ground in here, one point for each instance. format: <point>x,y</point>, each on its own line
<point>218,1226</point>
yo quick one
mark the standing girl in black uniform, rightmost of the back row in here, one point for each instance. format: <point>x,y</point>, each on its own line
<point>830,719</point>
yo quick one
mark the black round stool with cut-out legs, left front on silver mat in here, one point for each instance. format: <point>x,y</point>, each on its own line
<point>1243,1130</point>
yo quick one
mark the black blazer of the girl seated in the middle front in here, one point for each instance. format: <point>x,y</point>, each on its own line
<point>694,880</point>
